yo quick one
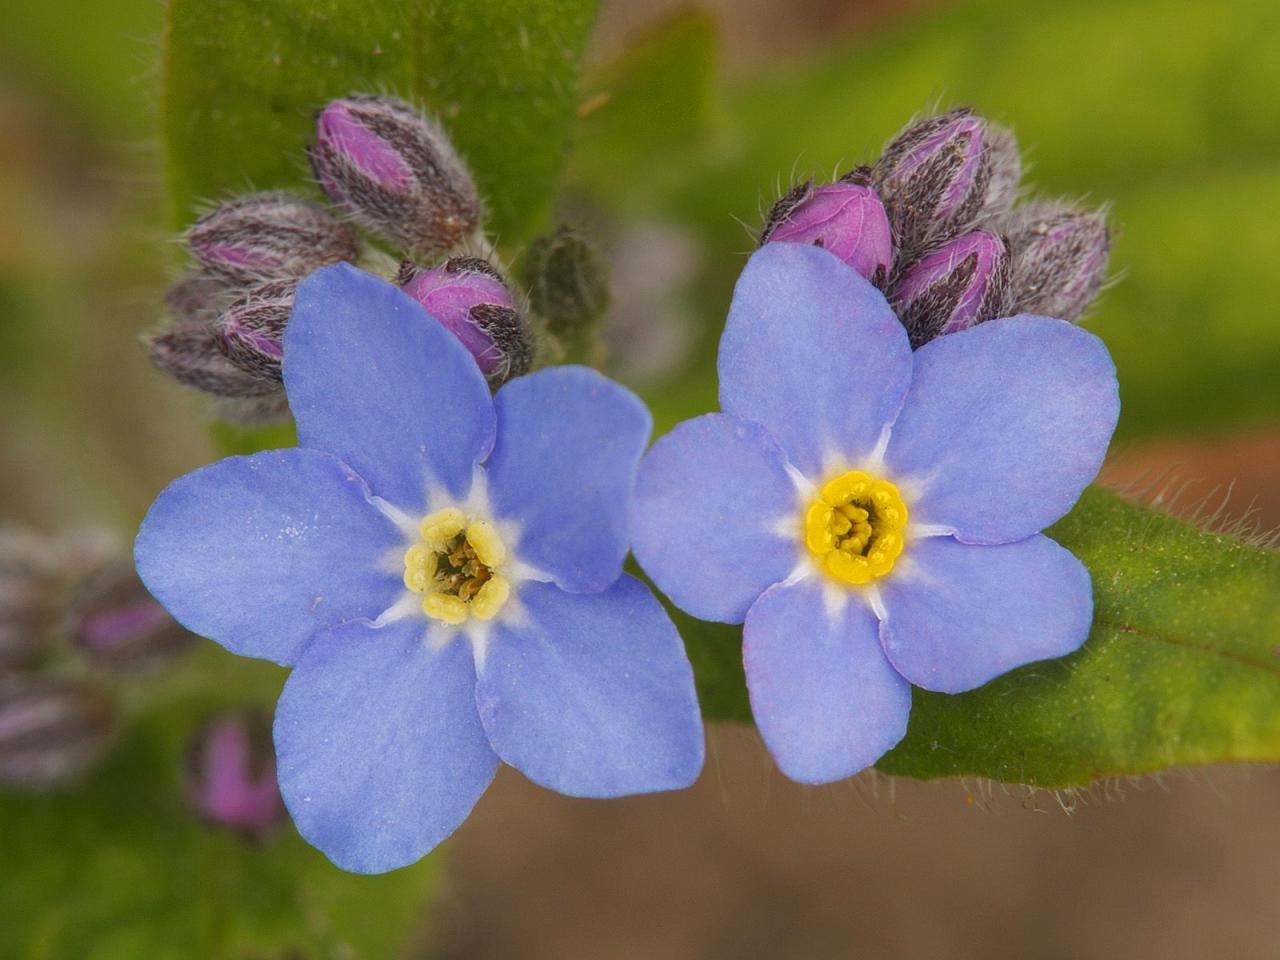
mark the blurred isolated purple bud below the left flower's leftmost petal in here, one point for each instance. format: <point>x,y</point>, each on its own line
<point>232,774</point>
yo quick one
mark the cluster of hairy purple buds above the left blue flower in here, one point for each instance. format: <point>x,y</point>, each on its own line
<point>390,171</point>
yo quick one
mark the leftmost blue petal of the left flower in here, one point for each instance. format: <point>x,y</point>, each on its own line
<point>260,554</point>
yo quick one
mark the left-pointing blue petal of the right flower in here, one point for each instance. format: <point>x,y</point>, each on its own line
<point>711,500</point>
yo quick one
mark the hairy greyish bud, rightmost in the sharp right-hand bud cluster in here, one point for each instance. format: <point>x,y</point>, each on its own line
<point>1059,259</point>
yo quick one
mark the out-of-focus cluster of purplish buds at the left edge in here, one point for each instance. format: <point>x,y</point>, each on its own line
<point>74,618</point>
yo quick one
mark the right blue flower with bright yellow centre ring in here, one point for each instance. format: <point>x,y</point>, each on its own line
<point>872,515</point>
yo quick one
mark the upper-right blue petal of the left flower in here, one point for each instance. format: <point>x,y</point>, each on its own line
<point>564,467</point>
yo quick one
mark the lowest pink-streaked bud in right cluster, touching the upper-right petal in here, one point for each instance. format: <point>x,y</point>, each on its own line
<point>956,287</point>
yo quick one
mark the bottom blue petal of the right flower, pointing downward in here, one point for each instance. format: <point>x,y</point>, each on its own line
<point>825,698</point>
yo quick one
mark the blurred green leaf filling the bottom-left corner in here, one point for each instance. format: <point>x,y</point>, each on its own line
<point>122,868</point>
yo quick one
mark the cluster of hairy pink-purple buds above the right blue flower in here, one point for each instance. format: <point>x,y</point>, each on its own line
<point>932,223</point>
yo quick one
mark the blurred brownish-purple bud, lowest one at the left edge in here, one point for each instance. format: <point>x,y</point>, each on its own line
<point>52,732</point>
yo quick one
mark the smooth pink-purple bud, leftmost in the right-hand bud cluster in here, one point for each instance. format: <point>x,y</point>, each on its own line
<point>845,218</point>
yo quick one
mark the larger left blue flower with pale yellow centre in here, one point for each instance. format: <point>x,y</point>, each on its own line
<point>442,570</point>
